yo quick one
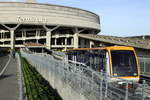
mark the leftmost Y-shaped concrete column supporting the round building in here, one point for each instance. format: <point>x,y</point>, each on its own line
<point>12,34</point>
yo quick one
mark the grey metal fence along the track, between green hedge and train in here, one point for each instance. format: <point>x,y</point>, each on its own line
<point>84,81</point>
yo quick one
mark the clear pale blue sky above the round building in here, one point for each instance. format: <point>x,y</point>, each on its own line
<point>117,17</point>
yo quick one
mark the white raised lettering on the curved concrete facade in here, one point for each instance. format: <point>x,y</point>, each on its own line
<point>31,19</point>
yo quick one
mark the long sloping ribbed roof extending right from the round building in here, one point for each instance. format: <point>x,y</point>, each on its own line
<point>137,43</point>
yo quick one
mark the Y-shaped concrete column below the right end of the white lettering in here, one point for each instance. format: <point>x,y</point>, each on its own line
<point>49,35</point>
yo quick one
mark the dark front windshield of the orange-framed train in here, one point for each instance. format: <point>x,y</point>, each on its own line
<point>123,63</point>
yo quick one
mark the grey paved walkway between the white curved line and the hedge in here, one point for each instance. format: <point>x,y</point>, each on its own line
<point>9,88</point>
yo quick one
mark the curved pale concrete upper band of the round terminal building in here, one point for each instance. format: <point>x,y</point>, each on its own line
<point>36,13</point>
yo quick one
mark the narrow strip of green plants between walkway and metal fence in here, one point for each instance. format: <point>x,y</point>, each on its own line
<point>37,88</point>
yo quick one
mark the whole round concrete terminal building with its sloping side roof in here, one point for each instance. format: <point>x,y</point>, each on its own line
<point>57,27</point>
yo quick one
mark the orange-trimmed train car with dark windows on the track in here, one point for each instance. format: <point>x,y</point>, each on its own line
<point>118,62</point>
